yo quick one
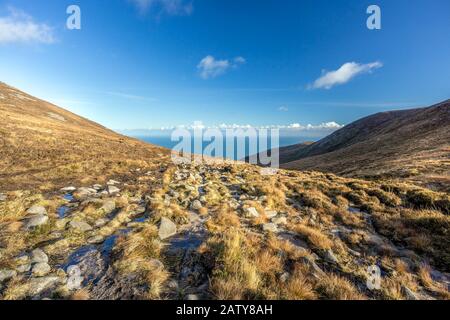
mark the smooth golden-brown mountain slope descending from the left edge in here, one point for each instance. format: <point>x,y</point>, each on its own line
<point>46,146</point>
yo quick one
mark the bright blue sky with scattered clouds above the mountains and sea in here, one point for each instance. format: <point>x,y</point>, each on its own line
<point>265,62</point>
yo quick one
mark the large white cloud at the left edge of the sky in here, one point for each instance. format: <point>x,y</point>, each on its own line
<point>18,27</point>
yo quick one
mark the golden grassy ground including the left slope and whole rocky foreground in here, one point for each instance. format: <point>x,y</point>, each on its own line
<point>130,224</point>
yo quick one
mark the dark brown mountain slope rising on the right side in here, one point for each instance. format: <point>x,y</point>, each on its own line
<point>412,144</point>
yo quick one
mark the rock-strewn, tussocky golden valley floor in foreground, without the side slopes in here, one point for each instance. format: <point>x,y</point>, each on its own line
<point>226,232</point>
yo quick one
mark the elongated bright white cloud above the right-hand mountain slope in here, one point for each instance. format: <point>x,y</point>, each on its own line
<point>344,74</point>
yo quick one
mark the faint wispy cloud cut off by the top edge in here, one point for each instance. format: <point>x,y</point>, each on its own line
<point>171,7</point>
